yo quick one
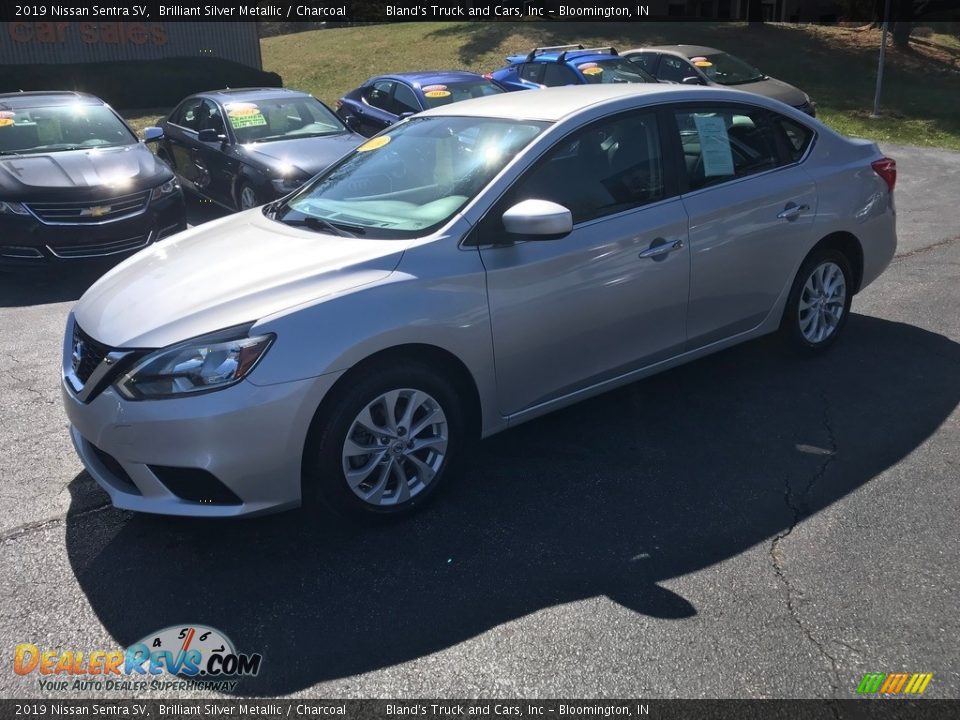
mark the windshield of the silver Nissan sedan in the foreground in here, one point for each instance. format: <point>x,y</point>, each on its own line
<point>407,182</point>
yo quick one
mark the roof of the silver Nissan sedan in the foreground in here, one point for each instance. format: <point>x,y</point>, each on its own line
<point>556,103</point>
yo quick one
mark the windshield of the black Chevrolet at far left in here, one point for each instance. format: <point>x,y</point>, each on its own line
<point>59,128</point>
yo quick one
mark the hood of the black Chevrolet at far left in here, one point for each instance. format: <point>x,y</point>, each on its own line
<point>80,173</point>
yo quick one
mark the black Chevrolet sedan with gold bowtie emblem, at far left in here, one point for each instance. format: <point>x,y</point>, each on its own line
<point>76,183</point>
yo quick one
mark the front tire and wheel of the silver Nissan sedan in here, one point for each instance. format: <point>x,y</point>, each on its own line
<point>395,477</point>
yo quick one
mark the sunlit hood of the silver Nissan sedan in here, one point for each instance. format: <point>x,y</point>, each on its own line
<point>231,271</point>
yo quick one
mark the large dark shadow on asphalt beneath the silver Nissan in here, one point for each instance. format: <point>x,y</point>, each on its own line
<point>610,497</point>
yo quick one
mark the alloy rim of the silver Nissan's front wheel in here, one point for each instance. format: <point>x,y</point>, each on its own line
<point>395,447</point>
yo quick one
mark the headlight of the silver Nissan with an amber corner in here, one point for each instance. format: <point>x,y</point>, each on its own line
<point>199,365</point>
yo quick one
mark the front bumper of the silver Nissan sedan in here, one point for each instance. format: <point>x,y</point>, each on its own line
<point>249,438</point>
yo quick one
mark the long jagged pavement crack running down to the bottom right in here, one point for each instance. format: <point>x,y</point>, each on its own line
<point>796,505</point>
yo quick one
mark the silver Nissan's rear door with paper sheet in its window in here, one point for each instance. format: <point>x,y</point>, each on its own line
<point>751,207</point>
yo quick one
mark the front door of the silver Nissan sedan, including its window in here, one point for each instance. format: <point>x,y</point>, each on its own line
<point>606,299</point>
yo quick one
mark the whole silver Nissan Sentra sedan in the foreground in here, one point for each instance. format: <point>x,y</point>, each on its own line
<point>471,268</point>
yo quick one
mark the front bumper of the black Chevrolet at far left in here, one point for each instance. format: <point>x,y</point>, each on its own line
<point>25,241</point>
